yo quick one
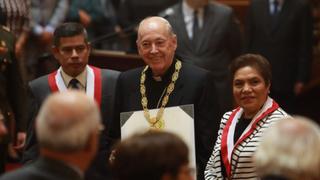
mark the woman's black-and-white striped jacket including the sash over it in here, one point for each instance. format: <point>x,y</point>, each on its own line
<point>233,160</point>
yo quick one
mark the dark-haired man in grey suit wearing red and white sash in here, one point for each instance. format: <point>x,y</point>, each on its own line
<point>71,48</point>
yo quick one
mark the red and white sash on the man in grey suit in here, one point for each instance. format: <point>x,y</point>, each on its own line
<point>93,86</point>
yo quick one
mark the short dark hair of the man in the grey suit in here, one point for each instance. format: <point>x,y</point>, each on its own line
<point>69,29</point>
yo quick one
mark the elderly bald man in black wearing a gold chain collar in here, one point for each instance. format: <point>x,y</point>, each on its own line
<point>169,82</point>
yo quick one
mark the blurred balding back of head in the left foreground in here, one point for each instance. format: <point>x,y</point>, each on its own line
<point>66,121</point>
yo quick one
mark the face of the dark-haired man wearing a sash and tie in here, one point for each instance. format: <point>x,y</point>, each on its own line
<point>72,54</point>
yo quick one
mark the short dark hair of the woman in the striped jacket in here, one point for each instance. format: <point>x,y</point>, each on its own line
<point>255,61</point>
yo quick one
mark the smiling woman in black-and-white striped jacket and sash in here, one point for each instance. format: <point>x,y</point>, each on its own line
<point>241,129</point>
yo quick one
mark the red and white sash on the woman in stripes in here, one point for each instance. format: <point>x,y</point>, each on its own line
<point>227,141</point>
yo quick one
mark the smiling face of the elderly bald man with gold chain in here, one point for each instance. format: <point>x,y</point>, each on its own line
<point>156,46</point>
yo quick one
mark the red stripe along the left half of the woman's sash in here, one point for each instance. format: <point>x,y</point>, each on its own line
<point>224,142</point>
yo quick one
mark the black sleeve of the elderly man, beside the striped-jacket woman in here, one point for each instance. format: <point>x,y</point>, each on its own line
<point>207,117</point>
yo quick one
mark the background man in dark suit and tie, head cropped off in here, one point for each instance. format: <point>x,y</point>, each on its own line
<point>208,37</point>
